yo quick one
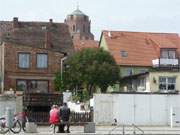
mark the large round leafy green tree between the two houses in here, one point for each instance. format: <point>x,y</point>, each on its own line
<point>90,68</point>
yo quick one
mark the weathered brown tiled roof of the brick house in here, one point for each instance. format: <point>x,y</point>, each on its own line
<point>38,34</point>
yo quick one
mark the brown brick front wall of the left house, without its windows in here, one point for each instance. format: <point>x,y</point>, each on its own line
<point>12,72</point>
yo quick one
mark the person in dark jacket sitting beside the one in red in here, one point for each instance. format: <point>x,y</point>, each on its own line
<point>64,114</point>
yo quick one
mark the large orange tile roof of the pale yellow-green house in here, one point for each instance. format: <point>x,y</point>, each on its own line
<point>141,47</point>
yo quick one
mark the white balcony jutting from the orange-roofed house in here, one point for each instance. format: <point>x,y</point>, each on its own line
<point>165,63</point>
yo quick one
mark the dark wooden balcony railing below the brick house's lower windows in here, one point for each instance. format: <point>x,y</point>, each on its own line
<point>41,99</point>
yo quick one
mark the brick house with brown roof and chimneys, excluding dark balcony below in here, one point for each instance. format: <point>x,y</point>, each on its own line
<point>31,53</point>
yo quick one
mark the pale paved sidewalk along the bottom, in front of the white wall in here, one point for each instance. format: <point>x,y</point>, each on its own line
<point>107,130</point>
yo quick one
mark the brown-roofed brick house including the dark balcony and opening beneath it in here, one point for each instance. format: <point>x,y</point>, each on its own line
<point>30,55</point>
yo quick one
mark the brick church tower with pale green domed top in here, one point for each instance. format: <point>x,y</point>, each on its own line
<point>79,25</point>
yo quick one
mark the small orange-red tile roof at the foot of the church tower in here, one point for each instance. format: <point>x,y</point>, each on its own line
<point>81,44</point>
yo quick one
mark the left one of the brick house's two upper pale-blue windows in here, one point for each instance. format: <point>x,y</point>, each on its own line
<point>24,60</point>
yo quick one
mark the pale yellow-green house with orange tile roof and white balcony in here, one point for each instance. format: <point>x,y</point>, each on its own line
<point>141,55</point>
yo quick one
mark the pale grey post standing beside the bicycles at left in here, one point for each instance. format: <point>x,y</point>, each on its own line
<point>9,117</point>
